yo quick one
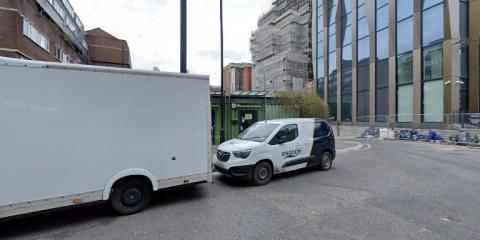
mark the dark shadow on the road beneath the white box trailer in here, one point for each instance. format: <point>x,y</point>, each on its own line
<point>100,213</point>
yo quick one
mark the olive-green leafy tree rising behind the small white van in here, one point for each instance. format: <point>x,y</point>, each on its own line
<point>309,105</point>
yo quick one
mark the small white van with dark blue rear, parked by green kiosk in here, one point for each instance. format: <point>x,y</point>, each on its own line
<point>277,146</point>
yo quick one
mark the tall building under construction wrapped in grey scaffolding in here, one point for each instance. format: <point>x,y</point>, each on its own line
<point>281,47</point>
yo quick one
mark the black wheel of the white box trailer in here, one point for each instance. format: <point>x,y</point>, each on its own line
<point>130,196</point>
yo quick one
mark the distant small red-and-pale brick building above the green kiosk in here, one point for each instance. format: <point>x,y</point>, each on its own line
<point>237,77</point>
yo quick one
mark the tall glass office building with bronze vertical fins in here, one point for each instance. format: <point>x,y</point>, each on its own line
<point>397,60</point>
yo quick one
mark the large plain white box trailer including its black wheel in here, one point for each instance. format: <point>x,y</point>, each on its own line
<point>75,134</point>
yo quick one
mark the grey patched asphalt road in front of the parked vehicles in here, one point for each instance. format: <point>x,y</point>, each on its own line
<point>392,190</point>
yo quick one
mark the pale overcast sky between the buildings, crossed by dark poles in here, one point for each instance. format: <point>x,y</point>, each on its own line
<point>152,30</point>
